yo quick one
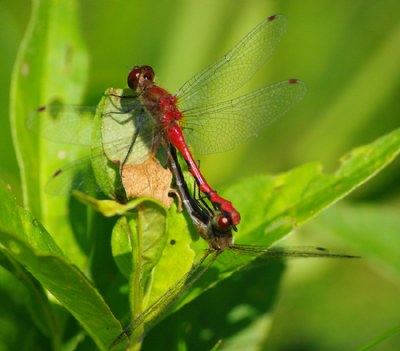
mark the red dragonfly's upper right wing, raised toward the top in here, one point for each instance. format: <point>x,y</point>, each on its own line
<point>235,68</point>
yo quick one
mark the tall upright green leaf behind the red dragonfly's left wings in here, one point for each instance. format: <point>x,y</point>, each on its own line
<point>51,67</point>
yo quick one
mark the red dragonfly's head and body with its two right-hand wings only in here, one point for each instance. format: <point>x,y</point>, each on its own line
<point>222,125</point>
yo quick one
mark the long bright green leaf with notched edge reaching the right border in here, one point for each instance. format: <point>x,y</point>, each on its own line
<point>271,207</point>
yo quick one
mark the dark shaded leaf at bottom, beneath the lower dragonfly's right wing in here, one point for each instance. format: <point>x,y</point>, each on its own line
<point>240,320</point>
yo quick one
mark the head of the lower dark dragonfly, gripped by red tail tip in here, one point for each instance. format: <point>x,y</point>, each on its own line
<point>219,233</point>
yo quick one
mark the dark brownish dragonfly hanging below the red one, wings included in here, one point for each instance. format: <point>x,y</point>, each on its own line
<point>217,231</point>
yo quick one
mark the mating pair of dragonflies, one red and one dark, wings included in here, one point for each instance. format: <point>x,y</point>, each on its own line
<point>197,116</point>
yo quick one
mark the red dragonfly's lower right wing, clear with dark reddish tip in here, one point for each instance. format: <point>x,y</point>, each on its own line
<point>224,125</point>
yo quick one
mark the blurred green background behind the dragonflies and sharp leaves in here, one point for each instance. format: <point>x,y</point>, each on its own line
<point>348,53</point>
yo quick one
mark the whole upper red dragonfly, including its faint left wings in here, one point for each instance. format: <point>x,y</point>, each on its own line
<point>199,116</point>
